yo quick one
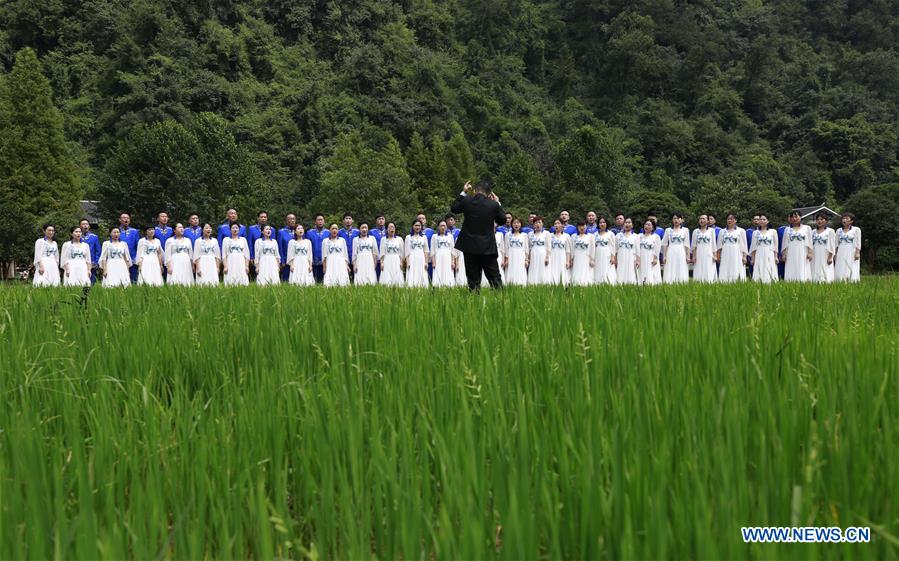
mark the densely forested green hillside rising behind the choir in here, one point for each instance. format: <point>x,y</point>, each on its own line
<point>374,105</point>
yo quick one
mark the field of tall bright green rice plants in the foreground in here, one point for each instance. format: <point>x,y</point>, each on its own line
<point>603,423</point>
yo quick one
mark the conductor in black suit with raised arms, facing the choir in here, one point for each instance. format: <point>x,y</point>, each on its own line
<point>477,241</point>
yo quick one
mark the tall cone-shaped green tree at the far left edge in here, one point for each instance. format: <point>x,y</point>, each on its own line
<point>39,180</point>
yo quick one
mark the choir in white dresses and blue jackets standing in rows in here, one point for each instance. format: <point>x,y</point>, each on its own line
<point>590,252</point>
